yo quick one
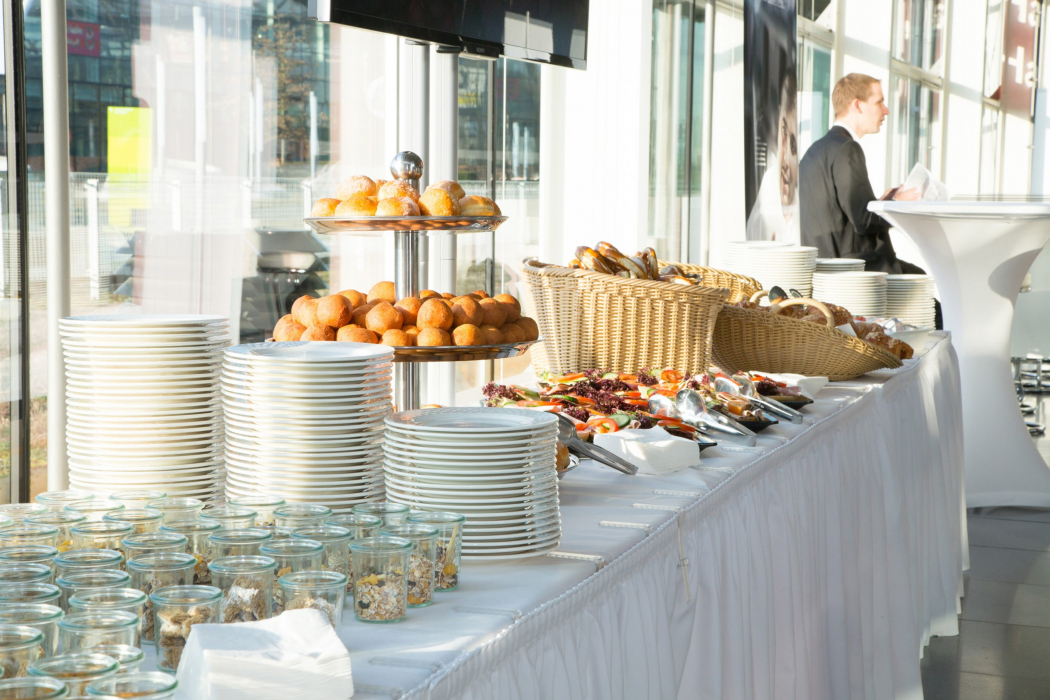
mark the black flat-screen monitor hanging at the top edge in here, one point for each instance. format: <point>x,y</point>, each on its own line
<point>545,31</point>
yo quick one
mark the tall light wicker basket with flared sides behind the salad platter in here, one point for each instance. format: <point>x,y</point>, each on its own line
<point>593,321</point>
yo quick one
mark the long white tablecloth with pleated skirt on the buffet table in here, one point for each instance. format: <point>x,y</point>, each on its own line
<point>816,568</point>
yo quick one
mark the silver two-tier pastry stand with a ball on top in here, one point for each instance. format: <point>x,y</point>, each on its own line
<point>409,235</point>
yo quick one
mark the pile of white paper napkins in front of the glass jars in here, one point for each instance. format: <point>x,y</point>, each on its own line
<point>295,655</point>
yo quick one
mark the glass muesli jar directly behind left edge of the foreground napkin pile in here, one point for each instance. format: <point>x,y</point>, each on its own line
<point>178,609</point>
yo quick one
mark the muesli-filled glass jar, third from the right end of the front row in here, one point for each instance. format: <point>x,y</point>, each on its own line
<point>381,581</point>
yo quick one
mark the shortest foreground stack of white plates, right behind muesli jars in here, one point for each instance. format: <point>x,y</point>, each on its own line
<point>494,465</point>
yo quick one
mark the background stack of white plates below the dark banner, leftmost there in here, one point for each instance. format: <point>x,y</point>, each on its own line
<point>773,264</point>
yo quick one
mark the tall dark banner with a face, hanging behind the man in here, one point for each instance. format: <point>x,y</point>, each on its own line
<point>771,120</point>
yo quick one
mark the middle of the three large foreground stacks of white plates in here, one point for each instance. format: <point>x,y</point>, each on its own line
<point>305,421</point>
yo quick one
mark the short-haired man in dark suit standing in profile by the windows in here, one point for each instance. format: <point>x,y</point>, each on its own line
<point>834,188</point>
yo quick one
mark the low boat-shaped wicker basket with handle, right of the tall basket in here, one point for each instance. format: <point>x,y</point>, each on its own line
<point>747,340</point>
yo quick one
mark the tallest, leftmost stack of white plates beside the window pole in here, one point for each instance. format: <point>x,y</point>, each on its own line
<point>143,404</point>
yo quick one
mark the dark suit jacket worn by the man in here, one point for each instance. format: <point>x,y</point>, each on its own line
<point>834,194</point>
